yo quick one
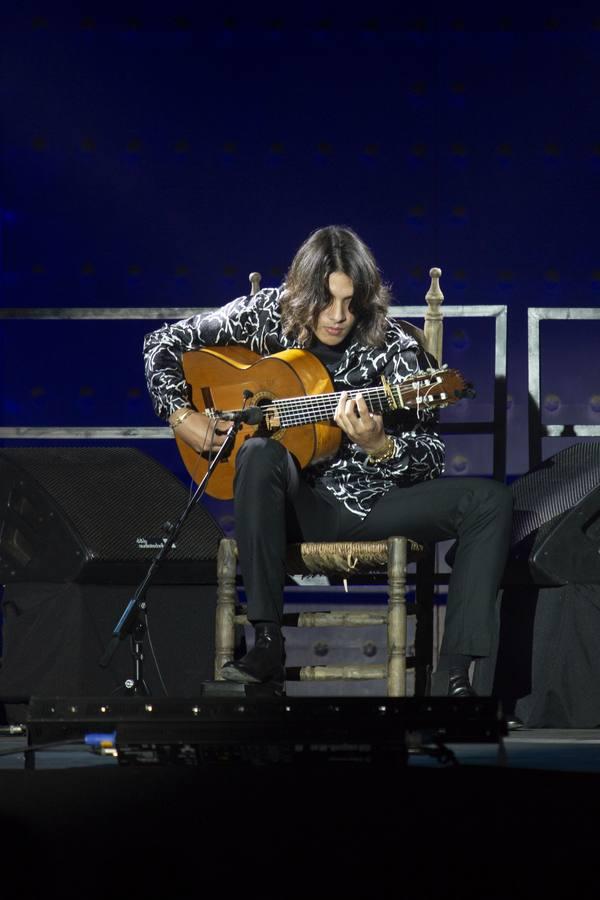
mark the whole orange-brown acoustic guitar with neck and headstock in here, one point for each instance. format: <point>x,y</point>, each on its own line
<point>295,394</point>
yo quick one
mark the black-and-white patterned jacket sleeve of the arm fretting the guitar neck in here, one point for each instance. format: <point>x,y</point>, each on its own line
<point>419,450</point>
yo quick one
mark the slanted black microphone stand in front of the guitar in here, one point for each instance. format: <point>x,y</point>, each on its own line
<point>132,621</point>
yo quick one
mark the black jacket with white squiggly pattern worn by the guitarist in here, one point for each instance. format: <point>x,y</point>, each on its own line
<point>255,322</point>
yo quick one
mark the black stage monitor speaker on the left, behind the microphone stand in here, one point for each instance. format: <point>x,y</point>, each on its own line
<point>97,515</point>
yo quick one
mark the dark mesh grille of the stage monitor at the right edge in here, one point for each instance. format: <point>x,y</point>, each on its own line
<point>554,487</point>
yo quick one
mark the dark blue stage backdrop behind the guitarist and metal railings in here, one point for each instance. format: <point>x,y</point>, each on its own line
<point>154,155</point>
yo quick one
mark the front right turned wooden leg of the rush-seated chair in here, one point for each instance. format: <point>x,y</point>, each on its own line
<point>397,554</point>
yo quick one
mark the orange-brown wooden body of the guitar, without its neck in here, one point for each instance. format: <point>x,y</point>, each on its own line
<point>218,377</point>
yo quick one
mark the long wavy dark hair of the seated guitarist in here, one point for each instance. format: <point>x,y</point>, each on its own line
<point>328,250</point>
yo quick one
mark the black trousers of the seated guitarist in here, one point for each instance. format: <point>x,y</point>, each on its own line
<point>275,506</point>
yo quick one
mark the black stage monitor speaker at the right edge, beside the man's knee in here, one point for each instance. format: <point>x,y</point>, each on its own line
<point>556,522</point>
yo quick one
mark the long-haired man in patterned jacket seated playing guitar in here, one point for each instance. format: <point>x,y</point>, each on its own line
<point>382,479</point>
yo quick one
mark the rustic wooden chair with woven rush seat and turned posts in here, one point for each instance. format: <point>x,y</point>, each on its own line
<point>387,557</point>
